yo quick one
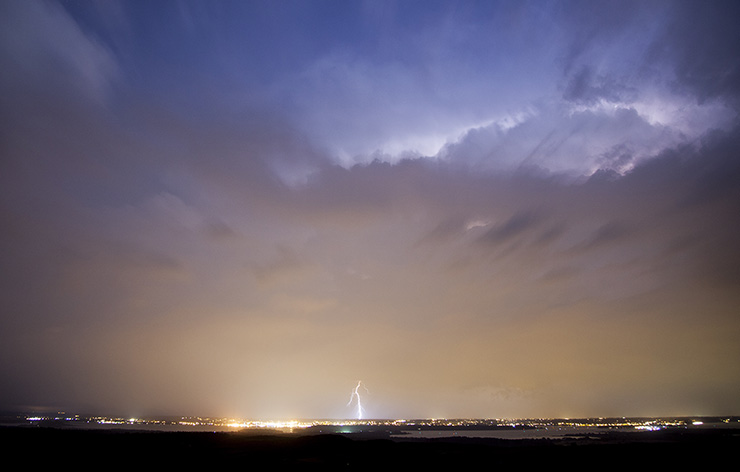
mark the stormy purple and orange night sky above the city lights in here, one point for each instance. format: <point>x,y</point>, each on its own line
<point>494,209</point>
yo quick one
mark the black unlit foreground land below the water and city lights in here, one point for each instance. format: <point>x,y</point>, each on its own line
<point>83,449</point>
